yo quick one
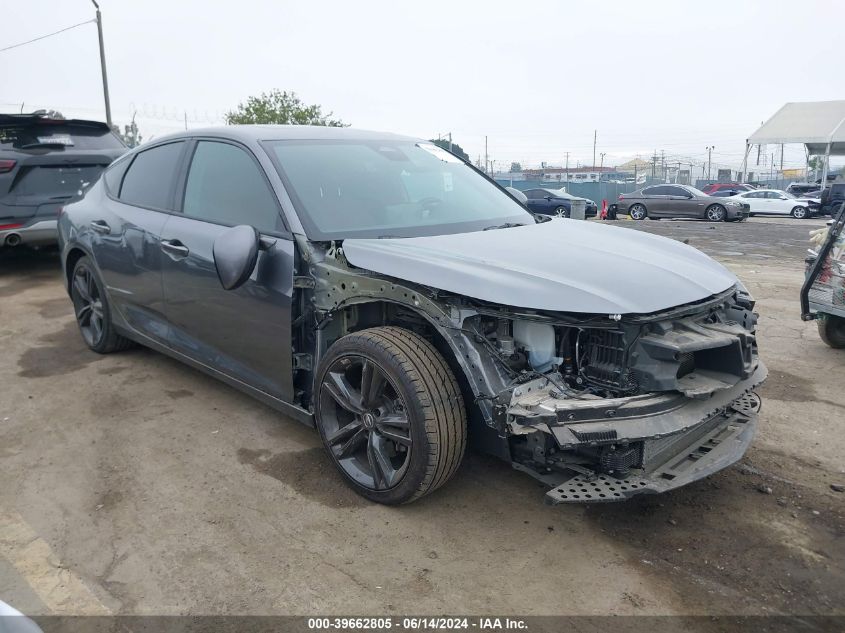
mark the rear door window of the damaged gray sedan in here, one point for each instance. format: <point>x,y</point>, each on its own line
<point>149,180</point>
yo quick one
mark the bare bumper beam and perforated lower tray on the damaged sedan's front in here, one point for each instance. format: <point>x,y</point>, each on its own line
<point>679,439</point>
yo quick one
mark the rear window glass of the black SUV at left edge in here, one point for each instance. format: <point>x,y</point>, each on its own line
<point>57,136</point>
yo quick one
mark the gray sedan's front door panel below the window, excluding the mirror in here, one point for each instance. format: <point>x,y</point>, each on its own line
<point>245,333</point>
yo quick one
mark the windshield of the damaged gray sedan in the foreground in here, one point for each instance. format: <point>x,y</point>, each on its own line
<point>345,189</point>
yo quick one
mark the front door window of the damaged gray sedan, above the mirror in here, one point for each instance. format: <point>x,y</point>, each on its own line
<point>226,186</point>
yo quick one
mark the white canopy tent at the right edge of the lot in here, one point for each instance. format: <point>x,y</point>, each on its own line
<point>818,125</point>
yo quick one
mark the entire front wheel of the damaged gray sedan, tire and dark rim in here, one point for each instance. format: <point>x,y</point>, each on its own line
<point>407,435</point>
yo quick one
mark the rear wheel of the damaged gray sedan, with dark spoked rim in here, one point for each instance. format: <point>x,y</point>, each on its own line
<point>93,314</point>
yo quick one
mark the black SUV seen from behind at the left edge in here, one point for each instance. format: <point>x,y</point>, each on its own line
<point>46,162</point>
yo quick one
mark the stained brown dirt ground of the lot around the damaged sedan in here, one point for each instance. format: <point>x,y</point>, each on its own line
<point>132,484</point>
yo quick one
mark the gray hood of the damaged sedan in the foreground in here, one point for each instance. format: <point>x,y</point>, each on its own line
<point>561,265</point>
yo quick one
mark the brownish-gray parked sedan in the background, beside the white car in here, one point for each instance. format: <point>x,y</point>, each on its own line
<point>679,201</point>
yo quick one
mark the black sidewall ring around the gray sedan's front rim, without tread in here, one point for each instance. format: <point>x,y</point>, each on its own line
<point>351,345</point>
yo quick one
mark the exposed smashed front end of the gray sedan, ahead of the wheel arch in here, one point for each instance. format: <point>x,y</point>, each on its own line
<point>622,406</point>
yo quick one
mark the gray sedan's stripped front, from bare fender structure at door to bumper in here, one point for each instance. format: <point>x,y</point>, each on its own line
<point>599,407</point>
